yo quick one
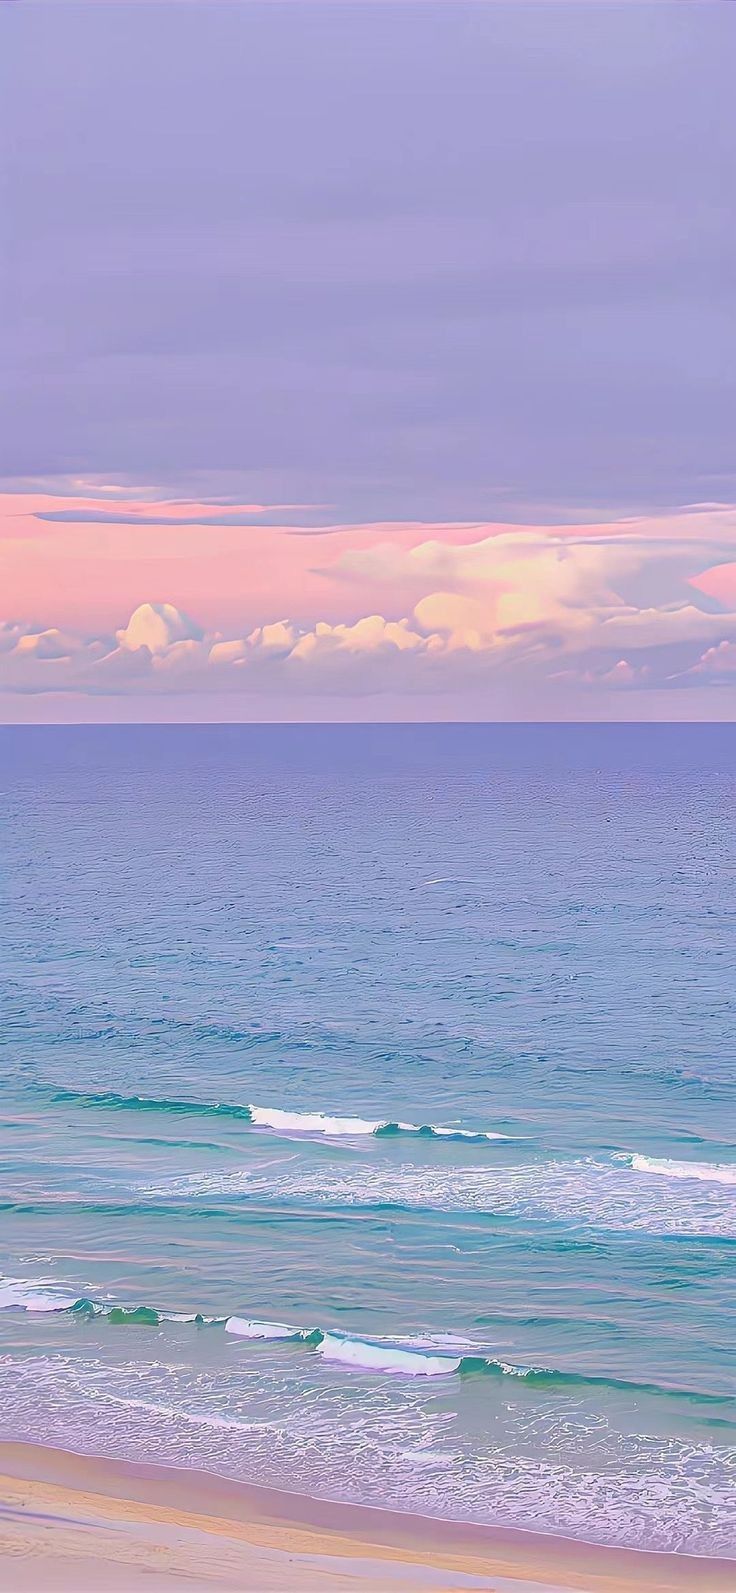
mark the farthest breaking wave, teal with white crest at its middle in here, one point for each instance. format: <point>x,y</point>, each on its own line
<point>283,1122</point>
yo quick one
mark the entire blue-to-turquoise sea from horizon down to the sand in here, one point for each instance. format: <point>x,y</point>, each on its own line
<point>515,942</point>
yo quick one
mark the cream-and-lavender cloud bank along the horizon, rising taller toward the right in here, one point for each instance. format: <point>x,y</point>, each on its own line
<point>636,608</point>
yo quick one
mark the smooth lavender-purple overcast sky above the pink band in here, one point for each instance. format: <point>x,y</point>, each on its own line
<point>453,262</point>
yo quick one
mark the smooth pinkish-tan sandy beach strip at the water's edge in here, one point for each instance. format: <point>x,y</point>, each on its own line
<point>66,1517</point>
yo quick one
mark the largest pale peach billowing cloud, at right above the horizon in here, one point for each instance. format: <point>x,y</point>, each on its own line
<point>573,589</point>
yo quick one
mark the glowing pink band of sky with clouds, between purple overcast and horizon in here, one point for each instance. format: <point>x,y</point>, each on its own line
<point>482,619</point>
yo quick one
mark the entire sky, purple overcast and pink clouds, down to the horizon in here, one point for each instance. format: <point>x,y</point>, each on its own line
<point>367,361</point>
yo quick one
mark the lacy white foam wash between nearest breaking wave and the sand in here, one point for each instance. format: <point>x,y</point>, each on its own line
<point>565,1473</point>
